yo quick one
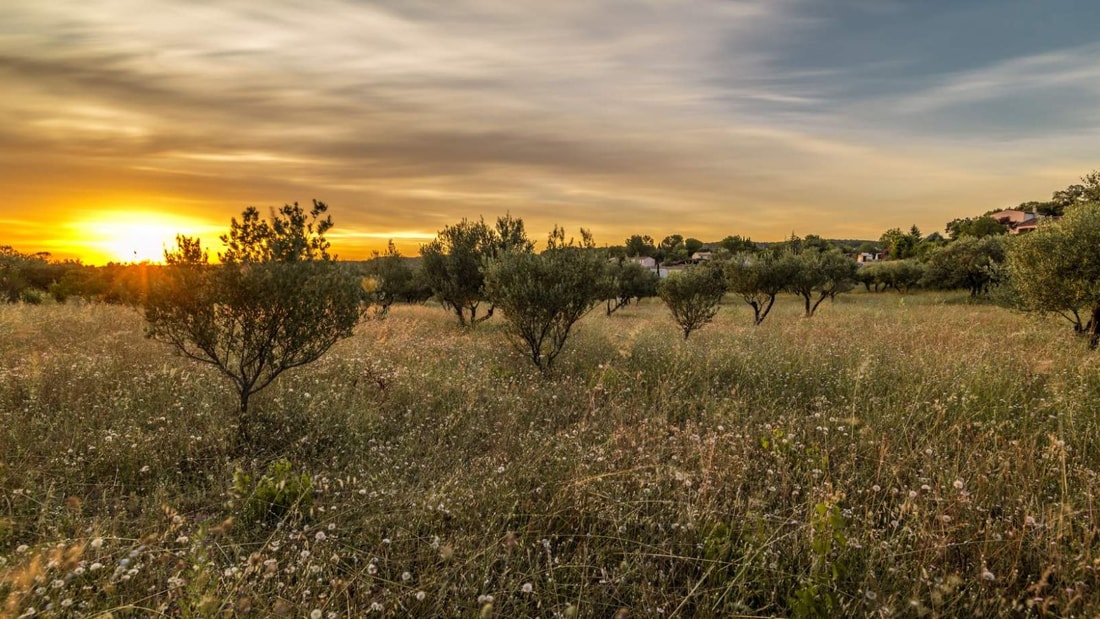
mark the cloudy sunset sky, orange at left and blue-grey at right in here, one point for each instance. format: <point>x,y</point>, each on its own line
<point>127,121</point>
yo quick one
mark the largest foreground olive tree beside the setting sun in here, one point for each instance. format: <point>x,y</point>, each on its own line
<point>277,302</point>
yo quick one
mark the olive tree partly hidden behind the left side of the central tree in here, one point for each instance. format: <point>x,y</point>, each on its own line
<point>454,263</point>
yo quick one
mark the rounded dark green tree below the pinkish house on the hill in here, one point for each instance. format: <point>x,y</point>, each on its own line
<point>970,263</point>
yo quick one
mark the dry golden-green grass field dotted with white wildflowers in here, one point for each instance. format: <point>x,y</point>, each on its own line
<point>894,456</point>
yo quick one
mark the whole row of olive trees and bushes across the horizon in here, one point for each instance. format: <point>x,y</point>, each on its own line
<point>278,300</point>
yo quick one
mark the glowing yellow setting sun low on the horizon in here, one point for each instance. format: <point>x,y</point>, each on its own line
<point>134,237</point>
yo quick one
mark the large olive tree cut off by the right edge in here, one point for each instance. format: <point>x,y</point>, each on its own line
<point>1057,269</point>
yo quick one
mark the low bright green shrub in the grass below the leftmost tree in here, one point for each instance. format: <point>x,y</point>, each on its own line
<point>278,494</point>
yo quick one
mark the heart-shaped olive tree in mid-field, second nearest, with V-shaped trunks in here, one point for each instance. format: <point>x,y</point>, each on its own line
<point>543,296</point>
